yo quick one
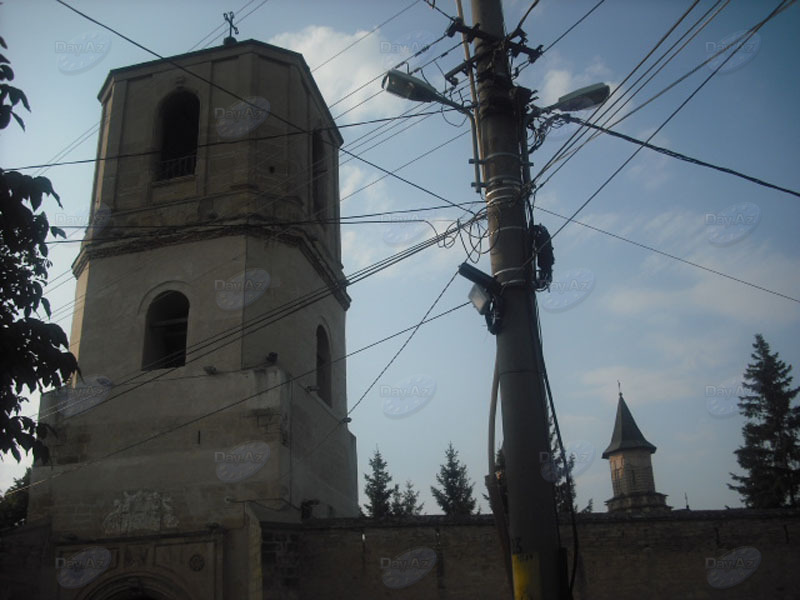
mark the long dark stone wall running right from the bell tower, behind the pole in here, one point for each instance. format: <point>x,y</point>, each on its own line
<point>683,555</point>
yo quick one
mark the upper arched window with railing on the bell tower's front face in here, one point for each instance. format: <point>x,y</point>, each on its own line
<point>180,118</point>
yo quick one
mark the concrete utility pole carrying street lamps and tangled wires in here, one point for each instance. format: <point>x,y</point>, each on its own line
<point>531,504</point>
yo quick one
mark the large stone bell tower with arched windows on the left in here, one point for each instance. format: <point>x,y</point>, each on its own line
<point>209,328</point>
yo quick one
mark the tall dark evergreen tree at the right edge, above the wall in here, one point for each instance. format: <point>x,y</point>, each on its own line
<point>770,455</point>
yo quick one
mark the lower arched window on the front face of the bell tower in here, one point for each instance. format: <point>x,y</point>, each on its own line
<point>165,333</point>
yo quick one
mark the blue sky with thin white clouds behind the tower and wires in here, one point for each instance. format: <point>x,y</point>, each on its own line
<point>675,335</point>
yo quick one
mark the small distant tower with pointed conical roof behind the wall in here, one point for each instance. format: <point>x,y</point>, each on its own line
<point>629,455</point>
